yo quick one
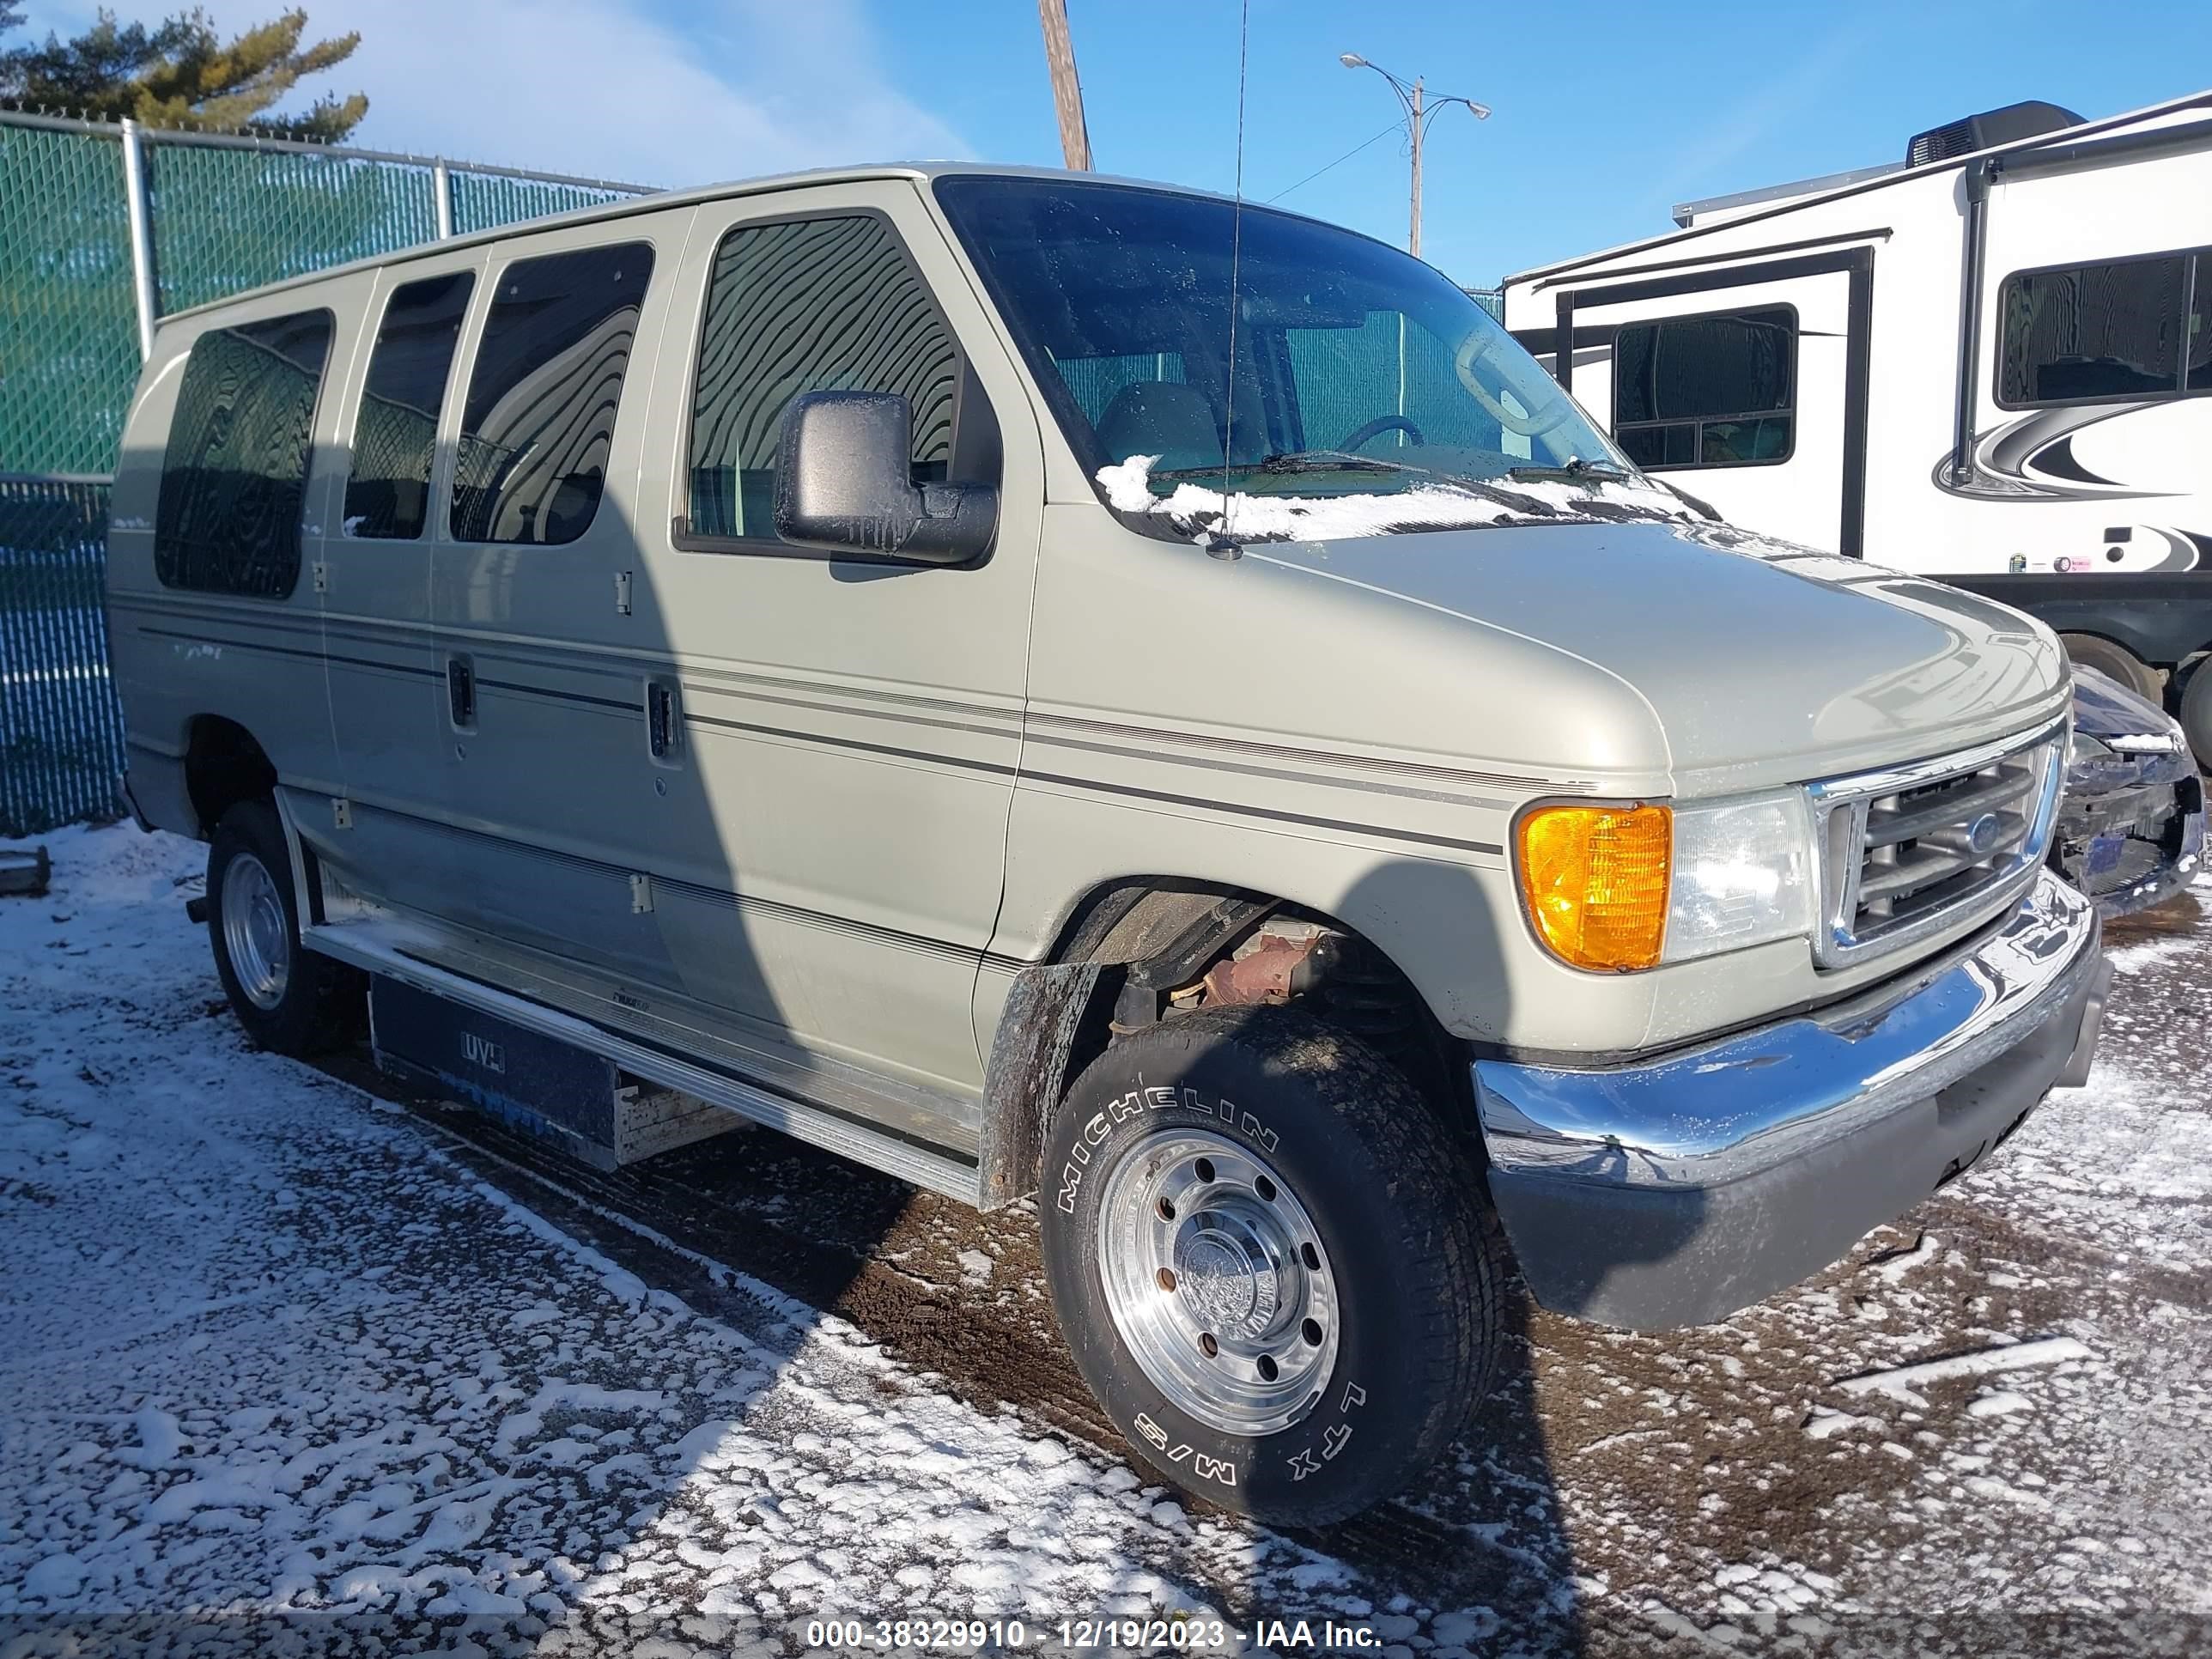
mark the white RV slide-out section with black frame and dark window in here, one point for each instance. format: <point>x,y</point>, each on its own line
<point>1744,388</point>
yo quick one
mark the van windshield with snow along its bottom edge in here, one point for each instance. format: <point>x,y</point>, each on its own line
<point>1348,384</point>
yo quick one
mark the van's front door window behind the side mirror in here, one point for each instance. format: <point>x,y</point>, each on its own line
<point>808,306</point>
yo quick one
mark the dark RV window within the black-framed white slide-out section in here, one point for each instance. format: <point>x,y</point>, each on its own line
<point>1711,390</point>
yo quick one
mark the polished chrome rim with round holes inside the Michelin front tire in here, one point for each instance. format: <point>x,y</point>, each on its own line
<point>1218,1282</point>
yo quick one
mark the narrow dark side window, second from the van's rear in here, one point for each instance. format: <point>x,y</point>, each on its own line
<point>397,426</point>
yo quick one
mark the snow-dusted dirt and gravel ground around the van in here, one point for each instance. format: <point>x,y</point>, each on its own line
<point>295,1361</point>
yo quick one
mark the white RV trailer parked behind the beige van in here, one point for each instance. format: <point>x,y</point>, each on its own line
<point>1990,364</point>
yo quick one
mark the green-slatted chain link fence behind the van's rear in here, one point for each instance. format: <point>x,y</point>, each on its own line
<point>218,216</point>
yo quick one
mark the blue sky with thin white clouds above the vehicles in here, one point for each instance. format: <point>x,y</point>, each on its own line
<point>1605,114</point>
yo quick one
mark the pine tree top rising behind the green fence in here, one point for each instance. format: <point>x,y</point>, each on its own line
<point>182,74</point>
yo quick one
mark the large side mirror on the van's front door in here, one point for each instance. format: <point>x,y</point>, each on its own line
<point>844,486</point>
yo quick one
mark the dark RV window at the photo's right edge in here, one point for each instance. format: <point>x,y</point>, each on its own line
<point>2129,328</point>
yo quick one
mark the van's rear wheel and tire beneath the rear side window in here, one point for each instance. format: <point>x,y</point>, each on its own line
<point>286,997</point>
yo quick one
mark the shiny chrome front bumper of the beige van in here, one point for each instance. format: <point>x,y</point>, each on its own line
<point>1678,1191</point>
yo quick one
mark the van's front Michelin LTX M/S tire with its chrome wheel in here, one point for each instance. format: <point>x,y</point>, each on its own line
<point>1271,1262</point>
